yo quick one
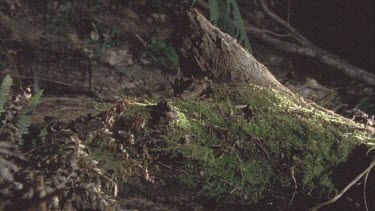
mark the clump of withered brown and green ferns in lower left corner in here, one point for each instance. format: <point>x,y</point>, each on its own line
<point>53,171</point>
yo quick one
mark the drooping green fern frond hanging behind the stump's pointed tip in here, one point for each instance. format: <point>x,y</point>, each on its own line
<point>226,15</point>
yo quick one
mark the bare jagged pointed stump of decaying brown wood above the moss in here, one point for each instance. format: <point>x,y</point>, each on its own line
<point>207,54</point>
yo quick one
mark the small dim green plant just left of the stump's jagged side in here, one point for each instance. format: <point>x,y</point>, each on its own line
<point>164,53</point>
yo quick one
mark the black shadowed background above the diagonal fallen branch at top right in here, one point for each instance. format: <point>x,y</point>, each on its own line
<point>342,27</point>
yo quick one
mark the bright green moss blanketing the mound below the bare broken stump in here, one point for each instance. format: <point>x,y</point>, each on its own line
<point>226,152</point>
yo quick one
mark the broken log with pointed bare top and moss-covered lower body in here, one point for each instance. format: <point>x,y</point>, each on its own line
<point>283,128</point>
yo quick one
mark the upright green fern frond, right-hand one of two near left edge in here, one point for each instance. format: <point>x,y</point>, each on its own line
<point>24,118</point>
